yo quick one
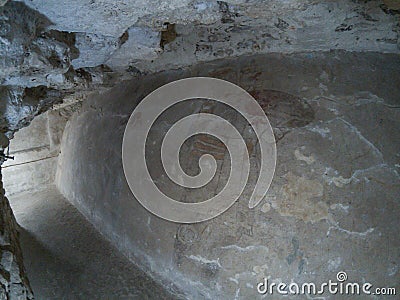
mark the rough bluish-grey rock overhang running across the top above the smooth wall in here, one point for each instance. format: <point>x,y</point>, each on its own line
<point>47,38</point>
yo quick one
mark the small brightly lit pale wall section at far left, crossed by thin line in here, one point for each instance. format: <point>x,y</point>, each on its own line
<point>35,150</point>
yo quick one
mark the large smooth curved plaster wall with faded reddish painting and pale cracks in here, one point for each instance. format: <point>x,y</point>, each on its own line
<point>333,204</point>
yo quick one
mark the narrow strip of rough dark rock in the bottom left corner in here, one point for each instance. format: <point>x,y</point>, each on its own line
<point>13,281</point>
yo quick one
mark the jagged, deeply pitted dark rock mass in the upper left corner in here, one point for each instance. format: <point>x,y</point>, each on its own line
<point>36,70</point>
